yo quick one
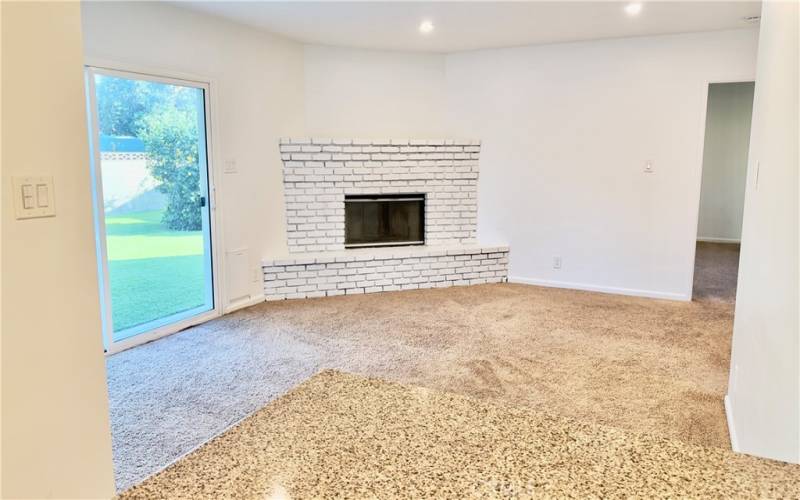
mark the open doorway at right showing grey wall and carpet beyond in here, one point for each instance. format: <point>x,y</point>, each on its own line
<point>719,225</point>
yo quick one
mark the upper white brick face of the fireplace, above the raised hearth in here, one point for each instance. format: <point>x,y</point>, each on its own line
<point>318,173</point>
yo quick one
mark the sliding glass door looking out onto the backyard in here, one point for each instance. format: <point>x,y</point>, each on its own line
<point>152,204</point>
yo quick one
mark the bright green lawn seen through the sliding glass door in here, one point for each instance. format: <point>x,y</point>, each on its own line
<point>154,272</point>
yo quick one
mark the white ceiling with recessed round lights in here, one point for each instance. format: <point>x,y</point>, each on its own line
<point>474,25</point>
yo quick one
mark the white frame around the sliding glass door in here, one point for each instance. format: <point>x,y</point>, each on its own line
<point>126,71</point>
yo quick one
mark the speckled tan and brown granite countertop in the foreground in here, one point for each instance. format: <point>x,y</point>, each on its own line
<point>342,436</point>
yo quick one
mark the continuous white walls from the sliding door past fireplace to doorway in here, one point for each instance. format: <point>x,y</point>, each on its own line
<point>576,183</point>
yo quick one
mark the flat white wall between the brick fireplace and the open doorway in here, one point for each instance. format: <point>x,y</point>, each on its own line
<point>566,132</point>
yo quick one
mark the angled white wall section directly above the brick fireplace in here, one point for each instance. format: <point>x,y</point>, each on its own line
<point>374,94</point>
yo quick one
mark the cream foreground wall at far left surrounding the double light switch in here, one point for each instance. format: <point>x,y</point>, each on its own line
<point>56,439</point>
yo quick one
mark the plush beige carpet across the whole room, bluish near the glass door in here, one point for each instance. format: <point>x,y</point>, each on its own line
<point>638,364</point>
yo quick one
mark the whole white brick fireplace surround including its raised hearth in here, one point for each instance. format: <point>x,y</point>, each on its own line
<point>318,173</point>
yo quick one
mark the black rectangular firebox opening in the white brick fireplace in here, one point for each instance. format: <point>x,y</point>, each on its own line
<point>384,220</point>
